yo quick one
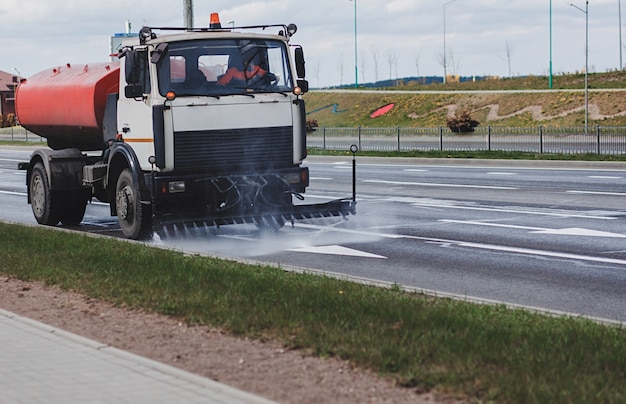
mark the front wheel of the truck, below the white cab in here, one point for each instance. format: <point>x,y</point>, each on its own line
<point>134,218</point>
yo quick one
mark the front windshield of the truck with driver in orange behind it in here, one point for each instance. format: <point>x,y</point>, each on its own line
<point>224,67</point>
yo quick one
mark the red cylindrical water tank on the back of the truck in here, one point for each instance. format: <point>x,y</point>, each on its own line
<point>66,104</point>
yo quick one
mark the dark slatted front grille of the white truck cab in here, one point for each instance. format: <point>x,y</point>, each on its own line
<point>234,151</point>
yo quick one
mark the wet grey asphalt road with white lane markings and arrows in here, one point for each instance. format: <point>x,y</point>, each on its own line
<point>551,237</point>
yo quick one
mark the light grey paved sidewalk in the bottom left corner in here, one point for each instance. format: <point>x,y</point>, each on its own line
<point>43,364</point>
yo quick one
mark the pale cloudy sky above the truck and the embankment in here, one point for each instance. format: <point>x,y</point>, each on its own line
<point>395,38</point>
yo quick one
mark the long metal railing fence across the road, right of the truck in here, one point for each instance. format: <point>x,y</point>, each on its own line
<point>597,139</point>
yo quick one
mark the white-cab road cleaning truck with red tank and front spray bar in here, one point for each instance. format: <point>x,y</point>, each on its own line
<point>201,126</point>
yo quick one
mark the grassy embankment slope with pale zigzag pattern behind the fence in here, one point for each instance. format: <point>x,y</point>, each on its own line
<point>560,108</point>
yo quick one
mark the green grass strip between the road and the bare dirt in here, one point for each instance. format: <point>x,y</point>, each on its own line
<point>480,352</point>
